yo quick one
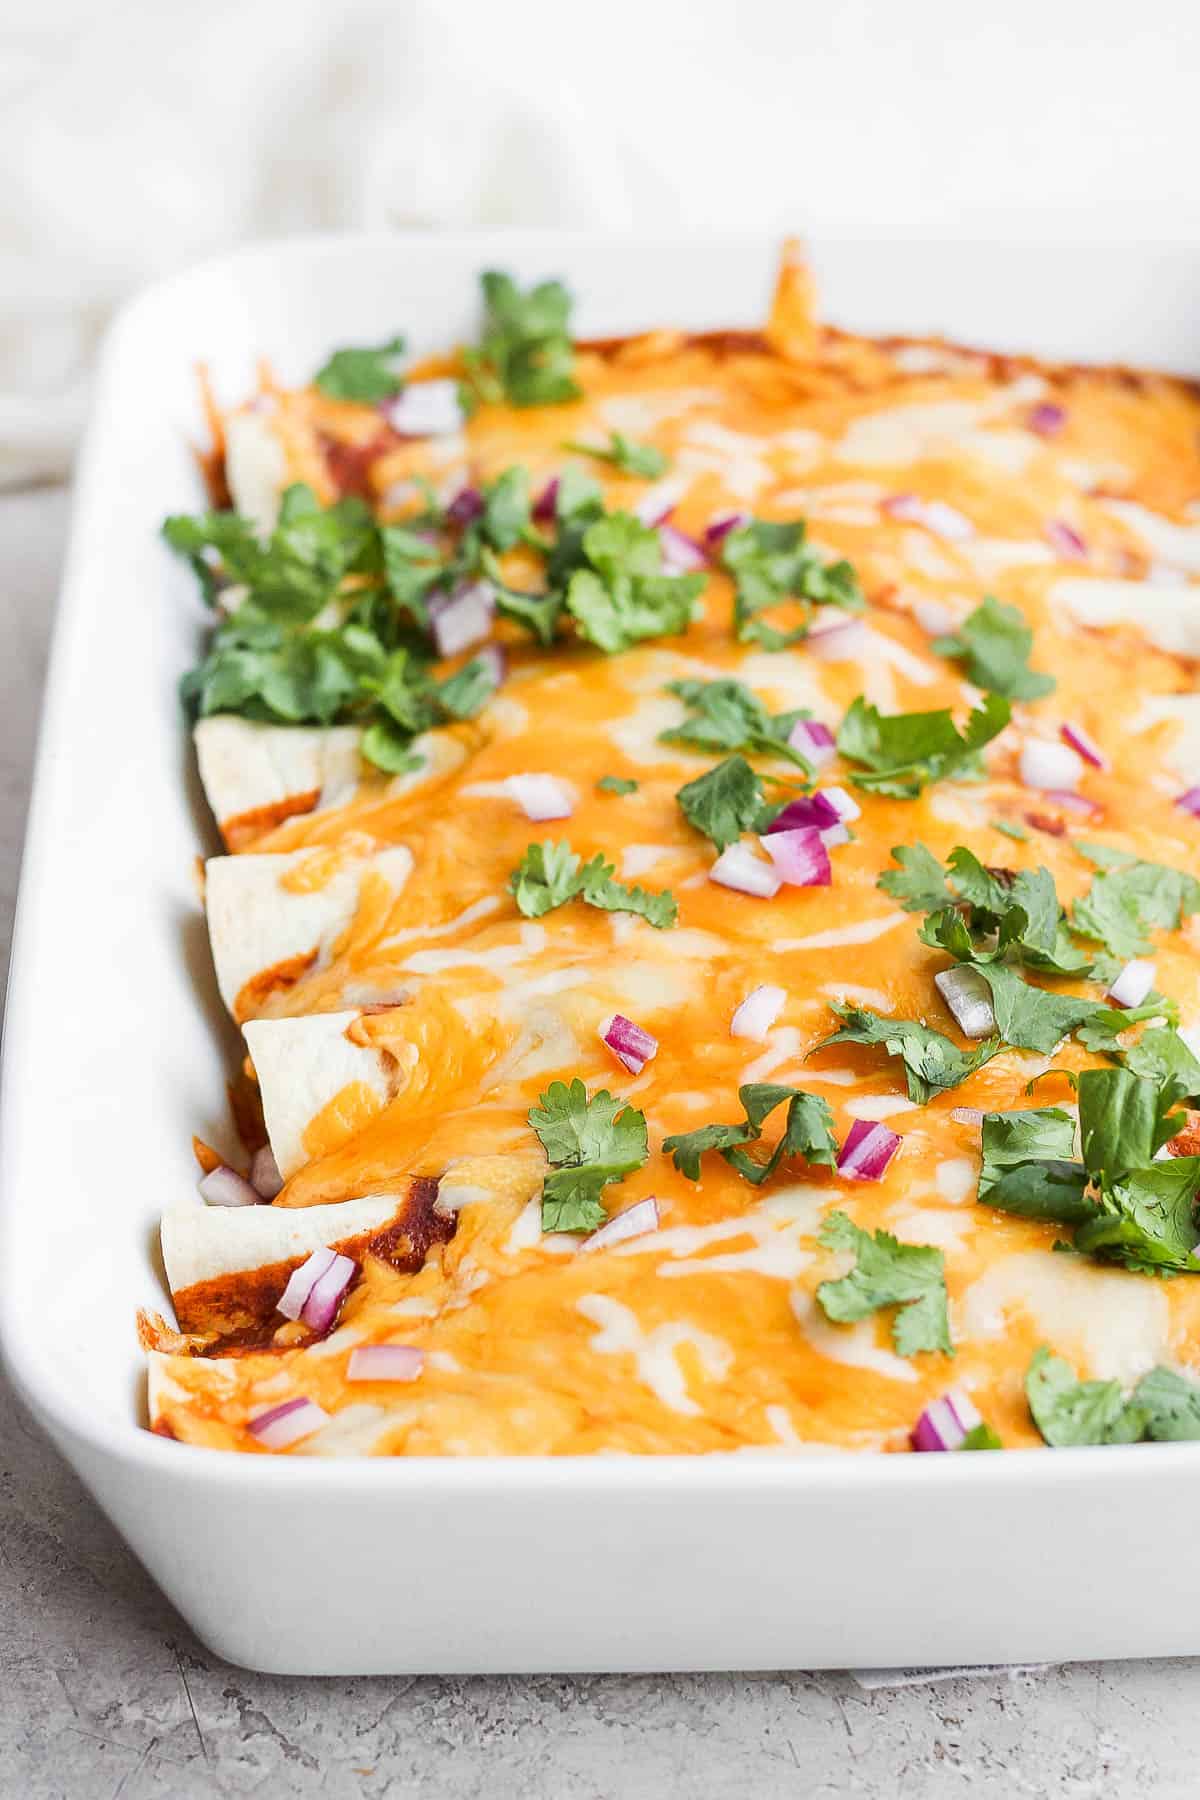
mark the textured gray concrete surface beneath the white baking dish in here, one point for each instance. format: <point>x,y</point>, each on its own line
<point>107,1696</point>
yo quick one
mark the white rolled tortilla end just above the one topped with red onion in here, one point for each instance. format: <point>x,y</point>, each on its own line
<point>309,1065</point>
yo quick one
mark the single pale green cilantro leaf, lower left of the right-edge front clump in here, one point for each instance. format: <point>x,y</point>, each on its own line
<point>888,1273</point>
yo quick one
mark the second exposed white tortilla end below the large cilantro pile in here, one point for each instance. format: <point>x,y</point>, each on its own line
<point>267,930</point>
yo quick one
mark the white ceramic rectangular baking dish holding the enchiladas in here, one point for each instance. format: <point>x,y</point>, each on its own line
<point>116,1054</point>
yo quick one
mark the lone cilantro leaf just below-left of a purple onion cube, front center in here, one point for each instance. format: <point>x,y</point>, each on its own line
<point>589,1142</point>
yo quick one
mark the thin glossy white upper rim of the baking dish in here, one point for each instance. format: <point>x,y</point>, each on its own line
<point>132,1443</point>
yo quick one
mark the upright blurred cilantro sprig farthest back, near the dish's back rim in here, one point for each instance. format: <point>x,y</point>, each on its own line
<point>524,354</point>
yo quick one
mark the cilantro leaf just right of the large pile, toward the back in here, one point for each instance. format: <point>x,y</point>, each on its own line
<point>773,564</point>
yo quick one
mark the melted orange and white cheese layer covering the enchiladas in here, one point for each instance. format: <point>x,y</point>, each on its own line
<point>706,1335</point>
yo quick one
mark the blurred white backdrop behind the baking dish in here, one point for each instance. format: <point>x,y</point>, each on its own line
<point>141,136</point>
